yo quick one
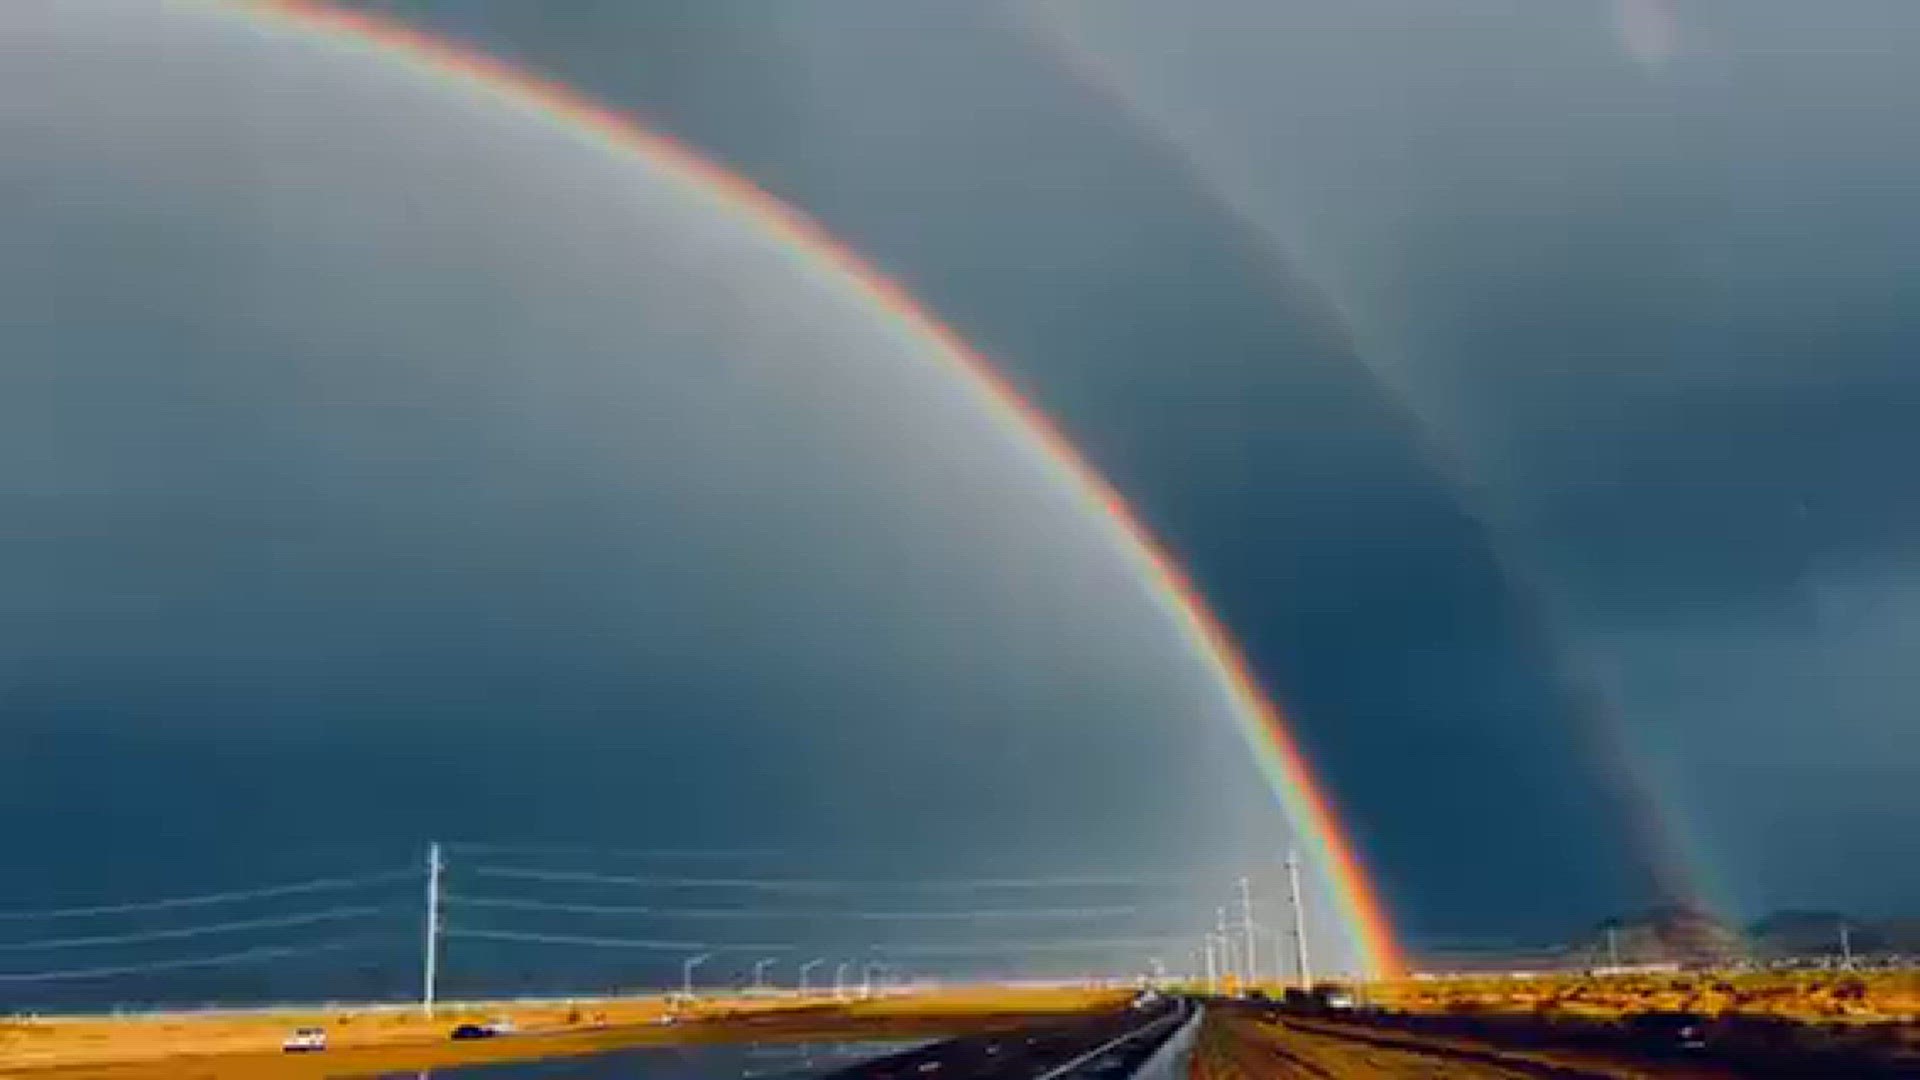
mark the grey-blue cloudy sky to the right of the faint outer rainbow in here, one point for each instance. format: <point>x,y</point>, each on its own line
<point>1664,312</point>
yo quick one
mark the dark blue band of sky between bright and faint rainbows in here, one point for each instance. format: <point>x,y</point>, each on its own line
<point>1199,372</point>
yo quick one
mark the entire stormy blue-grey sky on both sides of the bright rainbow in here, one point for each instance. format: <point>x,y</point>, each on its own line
<point>1527,389</point>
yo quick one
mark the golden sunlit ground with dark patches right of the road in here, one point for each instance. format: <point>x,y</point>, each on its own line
<point>1823,1023</point>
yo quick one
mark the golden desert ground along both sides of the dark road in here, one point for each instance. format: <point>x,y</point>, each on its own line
<point>1433,1027</point>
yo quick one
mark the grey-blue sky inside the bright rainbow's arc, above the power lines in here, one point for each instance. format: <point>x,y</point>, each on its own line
<point>377,468</point>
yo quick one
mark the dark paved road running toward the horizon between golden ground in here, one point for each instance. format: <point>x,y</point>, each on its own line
<point>1093,1048</point>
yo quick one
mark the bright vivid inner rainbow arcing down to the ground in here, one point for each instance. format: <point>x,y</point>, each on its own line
<point>1259,718</point>
